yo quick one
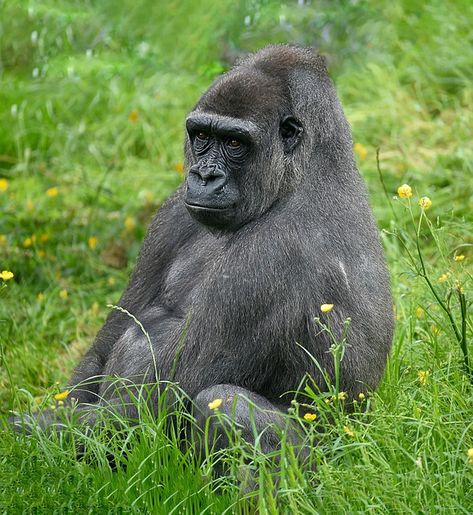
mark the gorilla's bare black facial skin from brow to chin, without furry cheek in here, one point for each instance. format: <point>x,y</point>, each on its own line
<point>222,148</point>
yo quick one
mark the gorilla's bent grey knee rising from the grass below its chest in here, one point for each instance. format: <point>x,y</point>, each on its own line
<point>255,416</point>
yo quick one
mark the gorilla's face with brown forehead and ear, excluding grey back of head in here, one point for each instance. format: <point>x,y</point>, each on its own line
<point>240,138</point>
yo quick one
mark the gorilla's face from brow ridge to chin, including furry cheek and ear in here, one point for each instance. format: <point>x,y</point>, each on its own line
<point>236,167</point>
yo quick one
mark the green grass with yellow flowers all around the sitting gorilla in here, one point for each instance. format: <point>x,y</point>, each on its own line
<point>92,102</point>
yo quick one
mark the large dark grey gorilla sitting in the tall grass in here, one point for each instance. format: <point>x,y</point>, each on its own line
<point>271,222</point>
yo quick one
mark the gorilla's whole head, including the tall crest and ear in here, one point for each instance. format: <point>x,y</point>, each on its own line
<point>246,135</point>
